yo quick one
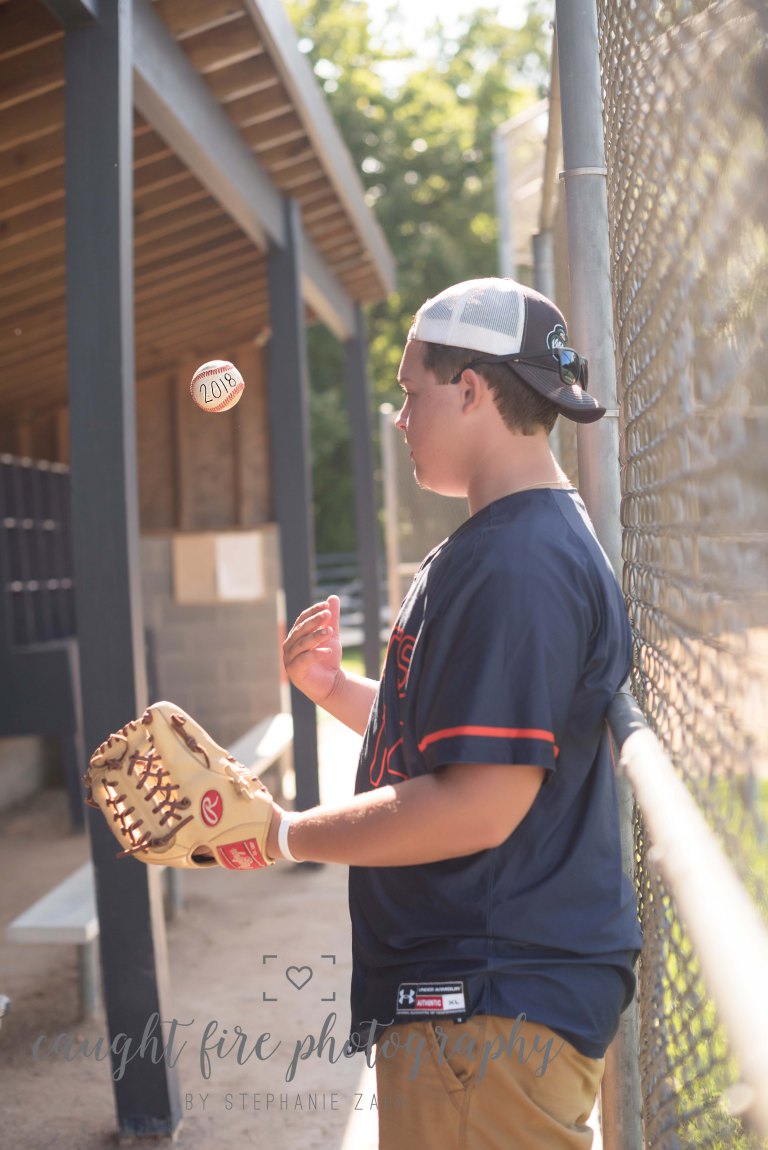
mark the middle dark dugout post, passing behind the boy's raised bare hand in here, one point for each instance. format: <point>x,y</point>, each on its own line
<point>291,472</point>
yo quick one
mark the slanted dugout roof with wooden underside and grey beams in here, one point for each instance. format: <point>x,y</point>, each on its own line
<point>228,120</point>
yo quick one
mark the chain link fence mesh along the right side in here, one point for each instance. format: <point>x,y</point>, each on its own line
<point>686,109</point>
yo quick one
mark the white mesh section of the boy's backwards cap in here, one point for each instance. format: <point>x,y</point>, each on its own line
<point>482,315</point>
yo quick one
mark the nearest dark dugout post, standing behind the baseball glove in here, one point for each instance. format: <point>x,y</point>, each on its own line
<point>106,538</point>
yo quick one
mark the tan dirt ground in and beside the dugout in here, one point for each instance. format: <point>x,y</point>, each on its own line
<point>287,975</point>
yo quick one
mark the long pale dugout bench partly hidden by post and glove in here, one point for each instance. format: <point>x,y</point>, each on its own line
<point>68,914</point>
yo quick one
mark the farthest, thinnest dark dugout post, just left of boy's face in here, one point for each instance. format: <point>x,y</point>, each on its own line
<point>360,418</point>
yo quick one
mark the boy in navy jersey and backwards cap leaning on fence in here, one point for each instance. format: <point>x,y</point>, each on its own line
<point>495,936</point>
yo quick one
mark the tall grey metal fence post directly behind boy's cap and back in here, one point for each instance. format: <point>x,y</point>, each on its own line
<point>592,318</point>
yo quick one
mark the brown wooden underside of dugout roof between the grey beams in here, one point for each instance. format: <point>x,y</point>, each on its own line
<point>185,241</point>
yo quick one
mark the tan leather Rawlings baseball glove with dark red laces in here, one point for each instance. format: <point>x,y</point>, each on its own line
<point>173,796</point>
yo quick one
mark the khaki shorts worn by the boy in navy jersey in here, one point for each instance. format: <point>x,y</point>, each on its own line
<point>489,1084</point>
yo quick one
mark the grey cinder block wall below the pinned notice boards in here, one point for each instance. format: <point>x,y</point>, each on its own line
<point>220,662</point>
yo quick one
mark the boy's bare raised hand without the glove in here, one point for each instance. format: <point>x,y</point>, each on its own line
<point>312,653</point>
